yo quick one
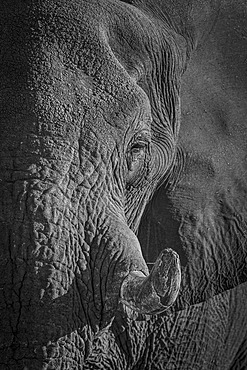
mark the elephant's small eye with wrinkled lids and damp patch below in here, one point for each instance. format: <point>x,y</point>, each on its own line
<point>137,157</point>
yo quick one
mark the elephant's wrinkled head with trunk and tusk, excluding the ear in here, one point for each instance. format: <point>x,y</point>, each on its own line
<point>90,113</point>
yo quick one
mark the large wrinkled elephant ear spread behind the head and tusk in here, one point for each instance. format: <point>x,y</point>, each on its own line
<point>200,211</point>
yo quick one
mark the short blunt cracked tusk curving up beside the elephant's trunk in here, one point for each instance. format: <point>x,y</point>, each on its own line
<point>156,292</point>
